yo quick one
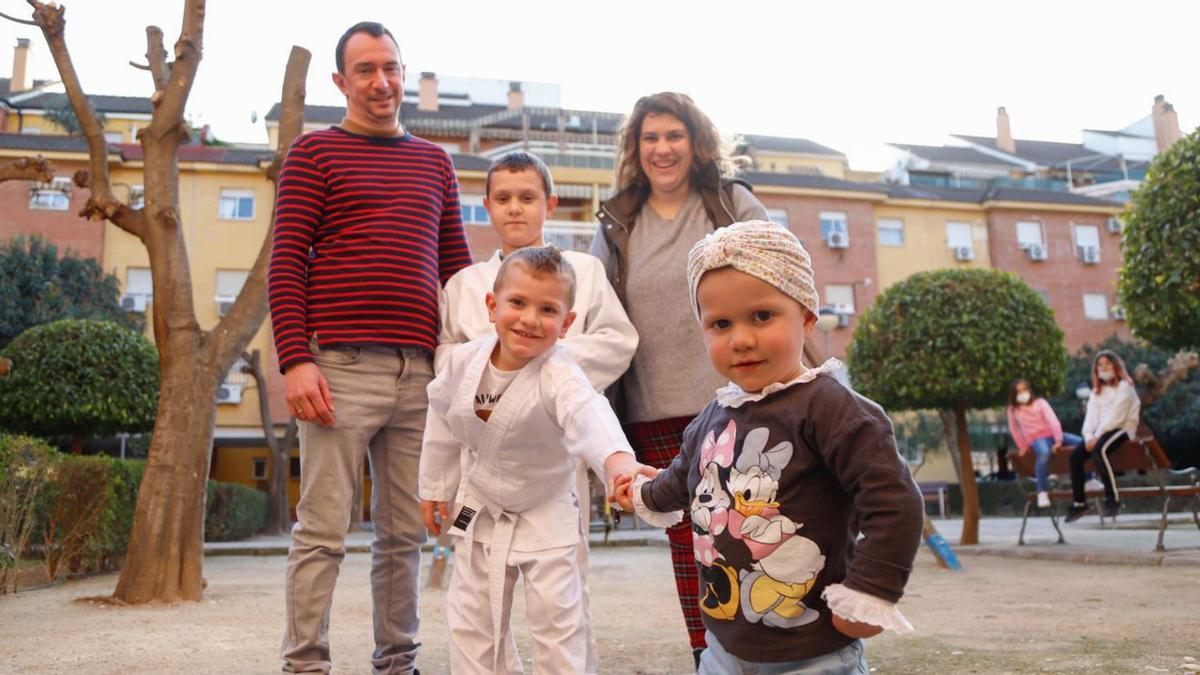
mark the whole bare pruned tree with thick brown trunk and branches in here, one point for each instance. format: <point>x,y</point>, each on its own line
<point>166,548</point>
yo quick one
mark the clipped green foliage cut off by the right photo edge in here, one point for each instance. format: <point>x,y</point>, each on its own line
<point>1160,282</point>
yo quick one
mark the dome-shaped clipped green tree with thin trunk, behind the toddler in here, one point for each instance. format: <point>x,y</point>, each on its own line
<point>953,341</point>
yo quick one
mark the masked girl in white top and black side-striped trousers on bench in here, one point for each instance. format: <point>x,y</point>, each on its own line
<point>1111,421</point>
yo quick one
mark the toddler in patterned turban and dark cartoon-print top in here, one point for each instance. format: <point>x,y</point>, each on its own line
<point>778,471</point>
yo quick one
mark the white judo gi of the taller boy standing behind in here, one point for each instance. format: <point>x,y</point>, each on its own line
<point>602,341</point>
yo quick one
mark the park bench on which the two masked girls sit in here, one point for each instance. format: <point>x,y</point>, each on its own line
<point>1142,455</point>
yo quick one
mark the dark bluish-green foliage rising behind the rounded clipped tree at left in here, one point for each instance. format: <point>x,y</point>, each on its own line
<point>38,286</point>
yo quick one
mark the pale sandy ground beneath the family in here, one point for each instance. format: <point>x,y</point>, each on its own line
<point>1000,616</point>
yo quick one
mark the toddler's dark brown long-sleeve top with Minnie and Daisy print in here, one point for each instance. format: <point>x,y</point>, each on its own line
<point>778,491</point>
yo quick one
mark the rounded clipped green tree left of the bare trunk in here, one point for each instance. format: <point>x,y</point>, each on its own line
<point>80,378</point>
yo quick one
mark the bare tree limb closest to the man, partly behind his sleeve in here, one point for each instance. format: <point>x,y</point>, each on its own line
<point>250,309</point>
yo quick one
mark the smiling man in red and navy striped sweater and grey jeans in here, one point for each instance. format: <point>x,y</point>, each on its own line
<point>367,230</point>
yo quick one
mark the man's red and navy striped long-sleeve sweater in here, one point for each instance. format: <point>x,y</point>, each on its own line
<point>367,231</point>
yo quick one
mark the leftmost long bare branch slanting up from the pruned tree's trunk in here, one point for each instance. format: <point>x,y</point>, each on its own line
<point>101,205</point>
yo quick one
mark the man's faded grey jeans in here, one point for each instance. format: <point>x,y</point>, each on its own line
<point>380,404</point>
